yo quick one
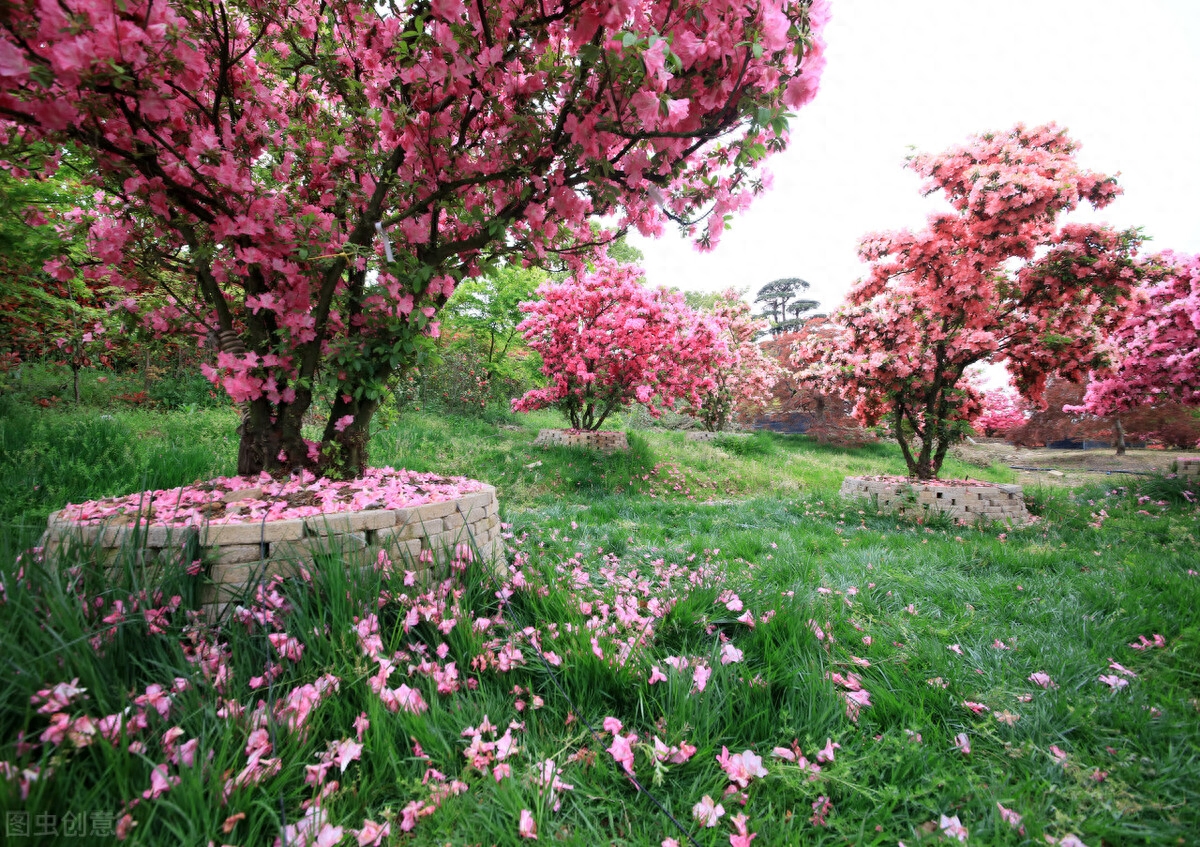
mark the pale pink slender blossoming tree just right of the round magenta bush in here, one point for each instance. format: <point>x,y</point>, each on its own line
<point>745,377</point>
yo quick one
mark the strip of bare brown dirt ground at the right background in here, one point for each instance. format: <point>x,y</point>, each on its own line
<point>1067,468</point>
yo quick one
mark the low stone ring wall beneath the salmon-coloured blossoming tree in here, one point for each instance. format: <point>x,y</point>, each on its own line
<point>963,500</point>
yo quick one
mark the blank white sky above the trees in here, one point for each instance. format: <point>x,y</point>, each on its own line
<point>1123,77</point>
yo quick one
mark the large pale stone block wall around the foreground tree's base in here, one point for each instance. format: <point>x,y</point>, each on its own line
<point>239,555</point>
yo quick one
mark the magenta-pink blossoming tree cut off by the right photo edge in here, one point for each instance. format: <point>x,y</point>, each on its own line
<point>1155,349</point>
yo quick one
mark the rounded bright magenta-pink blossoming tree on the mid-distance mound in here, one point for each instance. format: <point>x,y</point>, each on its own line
<point>608,341</point>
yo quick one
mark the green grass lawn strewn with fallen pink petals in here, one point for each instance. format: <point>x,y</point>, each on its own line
<point>710,620</point>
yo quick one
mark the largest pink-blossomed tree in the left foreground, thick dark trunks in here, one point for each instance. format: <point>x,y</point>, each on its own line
<point>310,179</point>
